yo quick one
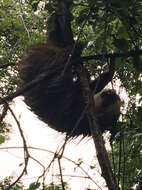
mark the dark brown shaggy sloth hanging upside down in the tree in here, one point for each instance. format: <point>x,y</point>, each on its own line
<point>58,99</point>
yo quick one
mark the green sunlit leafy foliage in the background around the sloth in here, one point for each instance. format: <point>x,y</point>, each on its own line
<point>107,26</point>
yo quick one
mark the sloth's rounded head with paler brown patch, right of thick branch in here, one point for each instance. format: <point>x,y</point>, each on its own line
<point>107,108</point>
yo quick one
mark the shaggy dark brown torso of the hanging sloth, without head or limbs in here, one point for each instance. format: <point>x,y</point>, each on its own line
<point>57,100</point>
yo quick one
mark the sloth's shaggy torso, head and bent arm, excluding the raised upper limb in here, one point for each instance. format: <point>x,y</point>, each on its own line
<point>58,100</point>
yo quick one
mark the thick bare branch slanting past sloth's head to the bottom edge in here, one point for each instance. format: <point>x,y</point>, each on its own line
<point>97,136</point>
